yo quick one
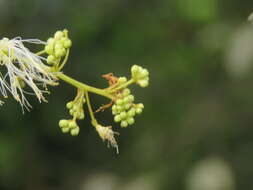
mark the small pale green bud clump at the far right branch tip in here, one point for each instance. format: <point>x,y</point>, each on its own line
<point>140,75</point>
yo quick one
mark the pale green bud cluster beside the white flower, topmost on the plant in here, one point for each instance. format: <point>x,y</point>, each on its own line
<point>57,46</point>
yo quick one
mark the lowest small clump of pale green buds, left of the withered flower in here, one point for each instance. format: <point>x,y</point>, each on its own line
<point>69,126</point>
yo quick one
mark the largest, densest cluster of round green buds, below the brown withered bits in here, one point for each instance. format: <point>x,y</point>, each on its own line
<point>124,109</point>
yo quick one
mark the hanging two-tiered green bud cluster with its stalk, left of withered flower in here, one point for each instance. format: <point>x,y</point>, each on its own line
<point>75,108</point>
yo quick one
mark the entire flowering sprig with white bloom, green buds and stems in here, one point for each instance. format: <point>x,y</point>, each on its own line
<point>26,69</point>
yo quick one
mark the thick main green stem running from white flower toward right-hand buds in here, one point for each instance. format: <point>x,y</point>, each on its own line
<point>82,86</point>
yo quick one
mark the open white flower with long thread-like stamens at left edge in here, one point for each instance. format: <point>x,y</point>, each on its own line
<point>18,64</point>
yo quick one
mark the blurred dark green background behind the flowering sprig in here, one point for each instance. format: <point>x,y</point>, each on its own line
<point>196,130</point>
